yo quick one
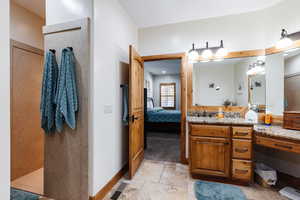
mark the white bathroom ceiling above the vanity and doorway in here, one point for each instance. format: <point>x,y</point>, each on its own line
<point>147,13</point>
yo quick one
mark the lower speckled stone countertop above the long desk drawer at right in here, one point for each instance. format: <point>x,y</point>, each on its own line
<point>277,131</point>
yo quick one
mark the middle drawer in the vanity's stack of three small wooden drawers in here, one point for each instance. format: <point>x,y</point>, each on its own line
<point>242,149</point>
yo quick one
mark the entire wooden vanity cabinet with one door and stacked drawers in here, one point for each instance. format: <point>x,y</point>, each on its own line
<point>221,151</point>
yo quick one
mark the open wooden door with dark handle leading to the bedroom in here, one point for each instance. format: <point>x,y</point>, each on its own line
<point>136,111</point>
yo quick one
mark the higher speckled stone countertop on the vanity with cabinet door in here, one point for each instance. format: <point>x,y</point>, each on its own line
<point>214,120</point>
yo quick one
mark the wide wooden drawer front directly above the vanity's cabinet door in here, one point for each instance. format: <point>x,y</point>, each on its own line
<point>210,130</point>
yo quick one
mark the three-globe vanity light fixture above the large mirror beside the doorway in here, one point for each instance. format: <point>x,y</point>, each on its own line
<point>207,53</point>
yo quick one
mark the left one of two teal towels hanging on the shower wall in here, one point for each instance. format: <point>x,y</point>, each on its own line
<point>47,106</point>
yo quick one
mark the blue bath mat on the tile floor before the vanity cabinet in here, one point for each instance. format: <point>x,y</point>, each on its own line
<point>217,191</point>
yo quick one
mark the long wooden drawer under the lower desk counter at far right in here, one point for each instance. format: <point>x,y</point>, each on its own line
<point>278,144</point>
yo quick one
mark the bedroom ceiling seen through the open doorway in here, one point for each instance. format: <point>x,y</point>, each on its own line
<point>169,66</point>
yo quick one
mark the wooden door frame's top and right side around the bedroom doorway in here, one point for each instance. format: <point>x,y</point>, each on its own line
<point>183,88</point>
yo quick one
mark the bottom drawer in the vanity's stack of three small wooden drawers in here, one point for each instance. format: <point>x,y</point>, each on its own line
<point>242,170</point>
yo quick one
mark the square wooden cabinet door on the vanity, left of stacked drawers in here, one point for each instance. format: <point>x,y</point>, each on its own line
<point>210,156</point>
